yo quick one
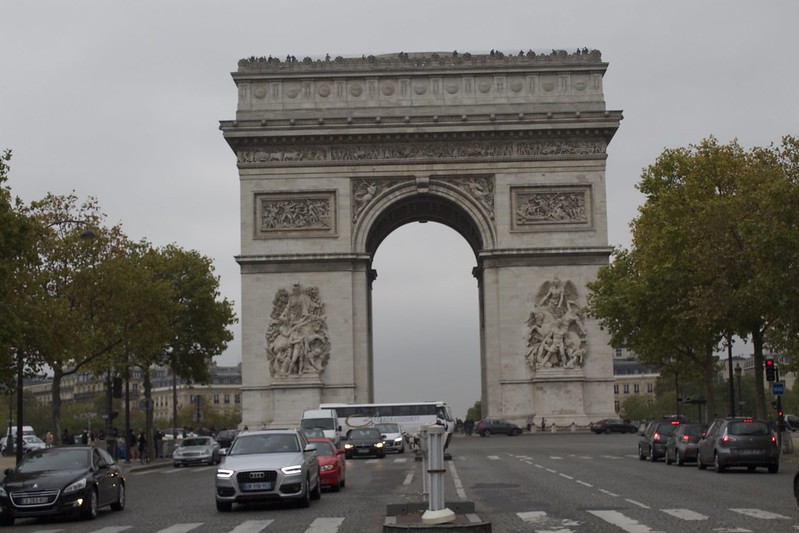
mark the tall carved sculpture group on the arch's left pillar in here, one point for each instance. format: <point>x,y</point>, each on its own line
<point>297,343</point>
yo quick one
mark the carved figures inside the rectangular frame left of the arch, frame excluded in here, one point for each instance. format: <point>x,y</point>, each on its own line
<point>278,213</point>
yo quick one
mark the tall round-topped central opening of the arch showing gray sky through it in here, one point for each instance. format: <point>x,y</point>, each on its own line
<point>425,317</point>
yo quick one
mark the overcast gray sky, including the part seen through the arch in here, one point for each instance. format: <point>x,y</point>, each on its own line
<point>121,101</point>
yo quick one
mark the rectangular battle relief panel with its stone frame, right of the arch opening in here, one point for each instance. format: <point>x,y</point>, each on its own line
<point>551,208</point>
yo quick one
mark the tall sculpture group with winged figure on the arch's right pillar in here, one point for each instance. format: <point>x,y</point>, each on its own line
<point>557,335</point>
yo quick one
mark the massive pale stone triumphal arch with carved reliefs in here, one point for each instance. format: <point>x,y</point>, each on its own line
<point>334,154</point>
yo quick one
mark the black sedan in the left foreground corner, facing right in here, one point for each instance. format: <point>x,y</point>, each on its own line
<point>64,480</point>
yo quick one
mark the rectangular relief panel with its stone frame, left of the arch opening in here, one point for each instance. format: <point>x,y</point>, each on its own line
<point>295,214</point>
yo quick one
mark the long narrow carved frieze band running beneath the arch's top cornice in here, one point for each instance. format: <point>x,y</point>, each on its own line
<point>404,151</point>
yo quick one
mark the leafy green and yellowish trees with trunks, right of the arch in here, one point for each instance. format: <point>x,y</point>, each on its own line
<point>714,254</point>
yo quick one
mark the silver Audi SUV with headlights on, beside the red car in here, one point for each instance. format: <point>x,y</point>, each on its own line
<point>270,465</point>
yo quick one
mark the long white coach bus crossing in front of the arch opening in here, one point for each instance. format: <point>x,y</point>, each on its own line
<point>412,416</point>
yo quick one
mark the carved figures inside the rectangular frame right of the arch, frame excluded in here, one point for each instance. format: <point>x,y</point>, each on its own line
<point>551,207</point>
